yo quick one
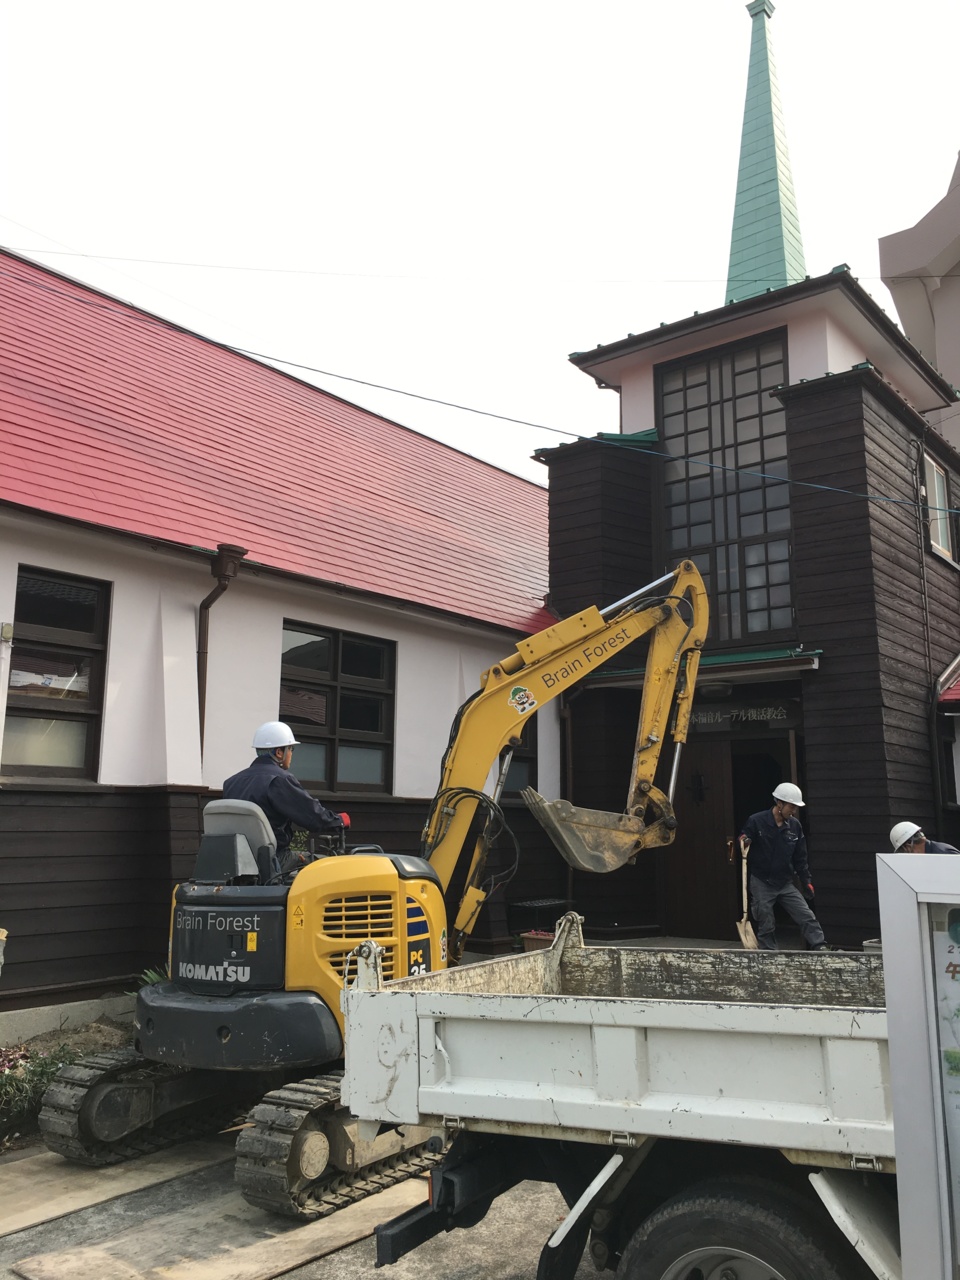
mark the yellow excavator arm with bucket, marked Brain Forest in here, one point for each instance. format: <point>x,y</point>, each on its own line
<point>674,611</point>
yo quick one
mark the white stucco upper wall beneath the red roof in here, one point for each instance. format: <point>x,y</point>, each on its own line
<point>152,732</point>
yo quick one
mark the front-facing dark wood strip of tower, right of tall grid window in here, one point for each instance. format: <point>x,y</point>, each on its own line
<point>844,719</point>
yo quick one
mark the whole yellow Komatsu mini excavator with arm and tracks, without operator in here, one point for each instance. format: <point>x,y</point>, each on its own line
<point>250,1014</point>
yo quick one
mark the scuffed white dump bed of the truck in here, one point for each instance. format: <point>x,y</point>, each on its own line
<point>610,1045</point>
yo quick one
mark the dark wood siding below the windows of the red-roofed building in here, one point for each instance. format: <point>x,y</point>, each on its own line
<point>88,879</point>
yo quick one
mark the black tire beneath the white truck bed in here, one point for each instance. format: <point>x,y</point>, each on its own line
<point>738,1222</point>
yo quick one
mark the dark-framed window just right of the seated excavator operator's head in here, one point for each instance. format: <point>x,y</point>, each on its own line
<point>337,694</point>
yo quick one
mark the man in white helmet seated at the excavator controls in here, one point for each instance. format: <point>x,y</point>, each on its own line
<point>269,783</point>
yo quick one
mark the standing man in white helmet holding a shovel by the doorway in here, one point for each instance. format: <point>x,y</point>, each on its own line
<point>778,853</point>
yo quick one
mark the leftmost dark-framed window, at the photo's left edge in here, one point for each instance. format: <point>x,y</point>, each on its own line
<point>56,693</point>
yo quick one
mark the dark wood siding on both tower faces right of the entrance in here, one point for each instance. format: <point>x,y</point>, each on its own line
<point>863,587</point>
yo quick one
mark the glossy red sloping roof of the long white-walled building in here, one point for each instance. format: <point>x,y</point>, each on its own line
<point>118,419</point>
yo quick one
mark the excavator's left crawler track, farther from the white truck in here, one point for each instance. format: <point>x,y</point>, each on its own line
<point>62,1123</point>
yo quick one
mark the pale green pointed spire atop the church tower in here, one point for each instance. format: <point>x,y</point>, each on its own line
<point>766,252</point>
